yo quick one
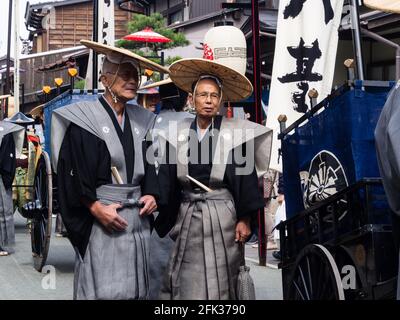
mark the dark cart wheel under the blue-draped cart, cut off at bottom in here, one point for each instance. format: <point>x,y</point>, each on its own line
<point>315,276</point>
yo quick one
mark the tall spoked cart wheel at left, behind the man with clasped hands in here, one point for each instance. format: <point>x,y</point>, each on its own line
<point>41,222</point>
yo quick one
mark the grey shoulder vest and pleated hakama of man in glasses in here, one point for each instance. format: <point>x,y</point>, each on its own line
<point>205,261</point>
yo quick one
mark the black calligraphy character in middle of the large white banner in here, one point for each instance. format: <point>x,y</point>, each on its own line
<point>305,58</point>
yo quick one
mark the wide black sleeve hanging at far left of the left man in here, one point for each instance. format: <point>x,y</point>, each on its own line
<point>84,164</point>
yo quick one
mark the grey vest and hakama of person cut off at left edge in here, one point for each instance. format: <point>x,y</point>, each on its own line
<point>7,229</point>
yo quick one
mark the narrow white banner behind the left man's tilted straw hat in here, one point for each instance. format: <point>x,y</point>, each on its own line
<point>106,35</point>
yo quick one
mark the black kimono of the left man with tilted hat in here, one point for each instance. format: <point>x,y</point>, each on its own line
<point>83,166</point>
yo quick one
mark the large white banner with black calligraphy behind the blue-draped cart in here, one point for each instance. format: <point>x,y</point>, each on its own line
<point>305,55</point>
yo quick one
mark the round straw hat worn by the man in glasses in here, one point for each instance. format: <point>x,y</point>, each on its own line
<point>185,72</point>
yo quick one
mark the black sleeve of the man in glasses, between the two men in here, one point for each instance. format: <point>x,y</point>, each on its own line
<point>170,194</point>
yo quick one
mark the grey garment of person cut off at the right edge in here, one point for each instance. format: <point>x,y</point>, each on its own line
<point>387,136</point>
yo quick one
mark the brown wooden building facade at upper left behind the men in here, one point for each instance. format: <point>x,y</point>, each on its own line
<point>56,27</point>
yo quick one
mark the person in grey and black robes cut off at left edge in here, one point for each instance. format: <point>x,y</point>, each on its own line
<point>11,141</point>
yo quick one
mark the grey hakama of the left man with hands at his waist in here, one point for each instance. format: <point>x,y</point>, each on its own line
<point>115,265</point>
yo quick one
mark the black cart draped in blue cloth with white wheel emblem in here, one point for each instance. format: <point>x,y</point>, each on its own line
<point>337,241</point>
